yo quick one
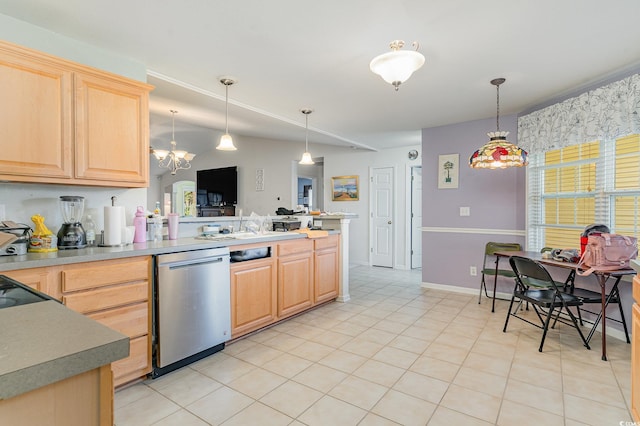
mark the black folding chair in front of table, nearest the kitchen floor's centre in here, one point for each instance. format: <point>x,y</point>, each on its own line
<point>545,300</point>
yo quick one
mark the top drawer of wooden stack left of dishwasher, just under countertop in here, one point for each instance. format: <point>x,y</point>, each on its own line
<point>99,274</point>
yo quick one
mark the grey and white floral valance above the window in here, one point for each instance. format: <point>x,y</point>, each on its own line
<point>607,112</point>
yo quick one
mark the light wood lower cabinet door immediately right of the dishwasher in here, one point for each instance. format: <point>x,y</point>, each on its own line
<point>253,295</point>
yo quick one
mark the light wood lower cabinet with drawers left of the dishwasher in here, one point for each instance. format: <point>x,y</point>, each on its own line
<point>116,293</point>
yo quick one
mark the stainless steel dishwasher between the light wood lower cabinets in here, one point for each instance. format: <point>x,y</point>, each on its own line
<point>193,307</point>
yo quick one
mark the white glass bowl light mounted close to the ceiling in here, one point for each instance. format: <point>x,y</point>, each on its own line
<point>396,67</point>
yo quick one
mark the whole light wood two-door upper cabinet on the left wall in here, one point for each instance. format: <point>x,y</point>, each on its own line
<point>66,123</point>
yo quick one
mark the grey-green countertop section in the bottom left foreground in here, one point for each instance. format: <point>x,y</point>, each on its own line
<point>45,342</point>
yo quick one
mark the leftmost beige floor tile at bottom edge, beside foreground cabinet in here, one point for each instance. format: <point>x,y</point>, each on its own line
<point>146,410</point>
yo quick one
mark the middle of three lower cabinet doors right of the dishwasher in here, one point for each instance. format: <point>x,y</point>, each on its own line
<point>295,276</point>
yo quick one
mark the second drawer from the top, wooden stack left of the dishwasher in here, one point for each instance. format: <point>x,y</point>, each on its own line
<point>109,297</point>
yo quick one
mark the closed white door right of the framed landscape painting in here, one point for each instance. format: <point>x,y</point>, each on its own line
<point>382,216</point>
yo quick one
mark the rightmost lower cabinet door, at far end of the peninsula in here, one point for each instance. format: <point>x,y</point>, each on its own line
<point>327,268</point>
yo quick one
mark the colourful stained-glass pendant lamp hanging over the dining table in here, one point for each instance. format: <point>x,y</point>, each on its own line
<point>498,153</point>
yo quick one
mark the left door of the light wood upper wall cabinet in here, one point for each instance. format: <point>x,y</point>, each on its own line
<point>35,118</point>
